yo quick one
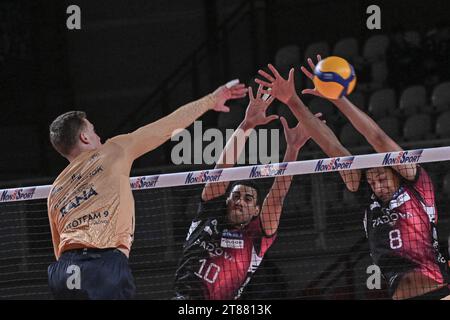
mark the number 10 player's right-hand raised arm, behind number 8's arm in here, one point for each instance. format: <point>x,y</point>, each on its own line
<point>273,203</point>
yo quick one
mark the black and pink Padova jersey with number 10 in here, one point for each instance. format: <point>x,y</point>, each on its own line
<point>218,261</point>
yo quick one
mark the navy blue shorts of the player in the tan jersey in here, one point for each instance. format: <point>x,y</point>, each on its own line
<point>91,274</point>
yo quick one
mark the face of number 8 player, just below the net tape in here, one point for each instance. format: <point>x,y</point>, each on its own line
<point>383,181</point>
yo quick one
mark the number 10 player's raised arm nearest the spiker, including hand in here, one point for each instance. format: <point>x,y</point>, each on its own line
<point>255,115</point>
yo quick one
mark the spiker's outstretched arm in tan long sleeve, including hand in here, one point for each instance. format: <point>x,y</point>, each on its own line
<point>154,134</point>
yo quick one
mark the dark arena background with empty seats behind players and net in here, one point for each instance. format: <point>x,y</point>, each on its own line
<point>136,61</point>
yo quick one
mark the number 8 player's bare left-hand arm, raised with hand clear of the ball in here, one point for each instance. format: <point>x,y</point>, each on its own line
<point>284,90</point>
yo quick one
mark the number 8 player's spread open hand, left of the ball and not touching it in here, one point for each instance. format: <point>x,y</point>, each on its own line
<point>281,88</point>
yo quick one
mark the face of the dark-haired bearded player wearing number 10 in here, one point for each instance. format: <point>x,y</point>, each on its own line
<point>242,204</point>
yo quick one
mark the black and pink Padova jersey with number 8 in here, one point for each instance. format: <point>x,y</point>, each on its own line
<point>402,233</point>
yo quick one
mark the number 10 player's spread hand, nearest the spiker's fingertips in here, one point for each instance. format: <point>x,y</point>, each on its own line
<point>255,115</point>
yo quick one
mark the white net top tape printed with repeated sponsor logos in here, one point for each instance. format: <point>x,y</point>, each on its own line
<point>256,171</point>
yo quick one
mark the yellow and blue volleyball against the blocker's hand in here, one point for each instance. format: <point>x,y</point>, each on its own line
<point>334,77</point>
